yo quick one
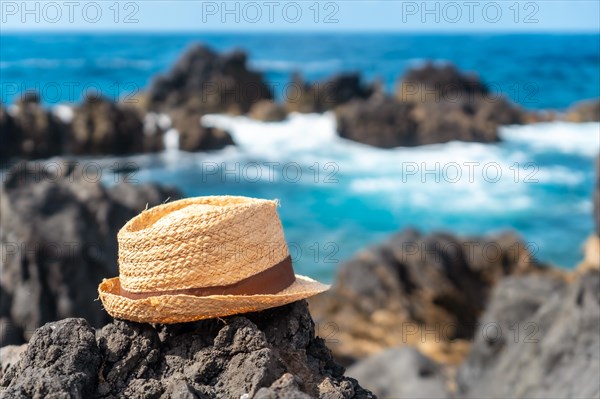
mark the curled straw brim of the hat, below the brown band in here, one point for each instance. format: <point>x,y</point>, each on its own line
<point>169,309</point>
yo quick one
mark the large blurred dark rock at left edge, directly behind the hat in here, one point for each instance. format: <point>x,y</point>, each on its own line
<point>58,234</point>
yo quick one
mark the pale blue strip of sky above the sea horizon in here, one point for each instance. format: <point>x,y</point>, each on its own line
<point>299,15</point>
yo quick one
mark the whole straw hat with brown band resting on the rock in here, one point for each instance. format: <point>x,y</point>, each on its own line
<point>203,257</point>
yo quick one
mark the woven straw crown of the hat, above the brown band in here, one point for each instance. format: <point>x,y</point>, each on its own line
<point>200,242</point>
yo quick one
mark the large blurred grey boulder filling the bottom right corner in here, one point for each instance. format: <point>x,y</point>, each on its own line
<point>549,346</point>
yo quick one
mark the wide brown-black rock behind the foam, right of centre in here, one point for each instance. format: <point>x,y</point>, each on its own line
<point>432,105</point>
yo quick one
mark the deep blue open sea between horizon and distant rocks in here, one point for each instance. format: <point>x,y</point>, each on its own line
<point>536,71</point>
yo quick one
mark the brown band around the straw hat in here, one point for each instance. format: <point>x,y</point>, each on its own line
<point>269,281</point>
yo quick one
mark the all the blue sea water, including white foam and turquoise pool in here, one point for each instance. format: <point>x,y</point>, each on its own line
<point>338,196</point>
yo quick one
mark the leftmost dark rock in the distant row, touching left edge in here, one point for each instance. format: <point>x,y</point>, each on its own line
<point>31,132</point>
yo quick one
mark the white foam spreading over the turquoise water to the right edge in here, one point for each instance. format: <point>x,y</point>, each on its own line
<point>454,177</point>
